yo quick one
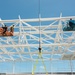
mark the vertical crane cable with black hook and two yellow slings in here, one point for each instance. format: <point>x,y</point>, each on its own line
<point>40,52</point>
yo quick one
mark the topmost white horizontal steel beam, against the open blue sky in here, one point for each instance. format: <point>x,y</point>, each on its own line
<point>37,19</point>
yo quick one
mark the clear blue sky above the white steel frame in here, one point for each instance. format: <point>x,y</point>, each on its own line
<point>11,9</point>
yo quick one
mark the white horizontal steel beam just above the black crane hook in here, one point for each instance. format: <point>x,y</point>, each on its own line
<point>37,45</point>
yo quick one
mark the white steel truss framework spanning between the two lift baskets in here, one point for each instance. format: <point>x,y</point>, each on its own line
<point>56,44</point>
